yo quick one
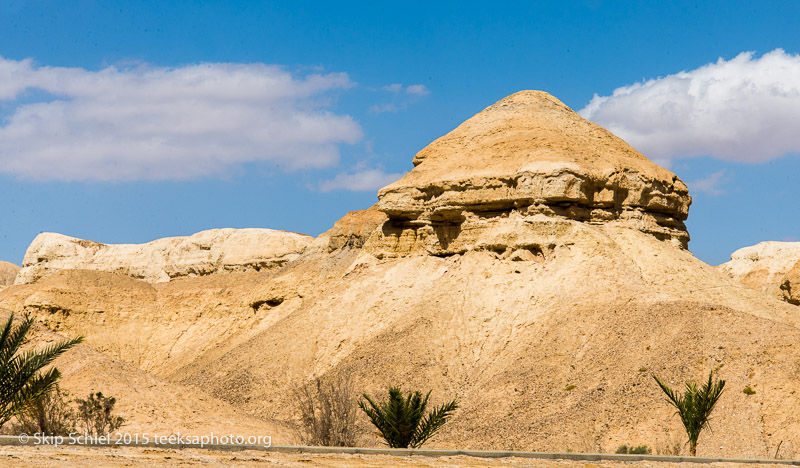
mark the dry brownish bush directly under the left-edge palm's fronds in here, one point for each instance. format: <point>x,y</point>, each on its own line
<point>49,415</point>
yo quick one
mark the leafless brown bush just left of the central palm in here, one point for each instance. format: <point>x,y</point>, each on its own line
<point>328,410</point>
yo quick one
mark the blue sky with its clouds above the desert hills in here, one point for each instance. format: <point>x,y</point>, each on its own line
<point>129,121</point>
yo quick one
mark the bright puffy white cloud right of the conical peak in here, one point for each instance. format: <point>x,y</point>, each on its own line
<point>745,109</point>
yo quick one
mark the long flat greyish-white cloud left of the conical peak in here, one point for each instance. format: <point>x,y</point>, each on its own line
<point>152,123</point>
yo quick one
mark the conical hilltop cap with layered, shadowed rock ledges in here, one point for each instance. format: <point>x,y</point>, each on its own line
<point>526,162</point>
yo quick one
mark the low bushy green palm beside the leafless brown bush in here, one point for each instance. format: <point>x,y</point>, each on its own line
<point>402,422</point>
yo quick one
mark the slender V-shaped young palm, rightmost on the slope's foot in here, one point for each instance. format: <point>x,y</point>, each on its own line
<point>694,406</point>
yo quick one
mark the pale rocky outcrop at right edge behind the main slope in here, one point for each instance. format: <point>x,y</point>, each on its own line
<point>771,267</point>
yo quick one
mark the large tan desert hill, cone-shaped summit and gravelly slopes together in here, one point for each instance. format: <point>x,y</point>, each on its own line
<point>531,264</point>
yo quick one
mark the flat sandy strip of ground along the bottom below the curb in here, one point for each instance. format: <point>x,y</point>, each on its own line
<point>79,457</point>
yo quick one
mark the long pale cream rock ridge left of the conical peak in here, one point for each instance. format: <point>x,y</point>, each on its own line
<point>204,253</point>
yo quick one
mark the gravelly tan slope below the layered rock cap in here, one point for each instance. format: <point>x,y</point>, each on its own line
<point>505,335</point>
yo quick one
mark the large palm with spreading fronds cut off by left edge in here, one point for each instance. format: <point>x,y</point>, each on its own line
<point>22,378</point>
